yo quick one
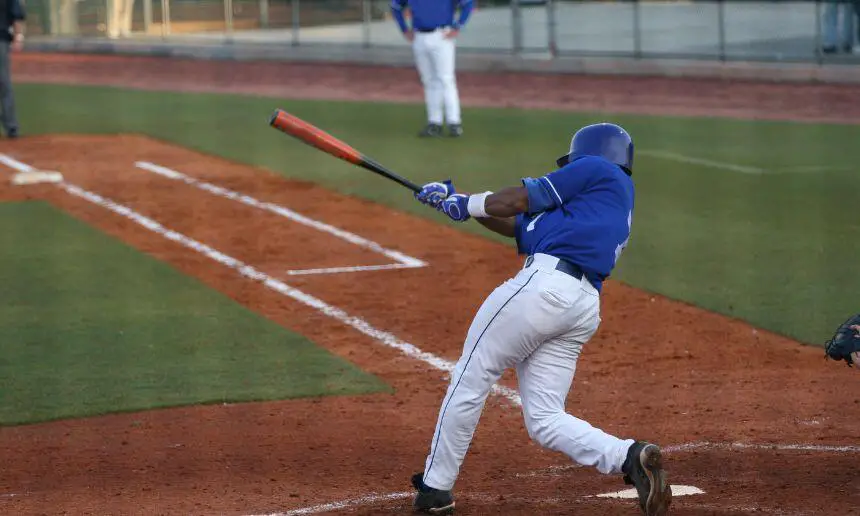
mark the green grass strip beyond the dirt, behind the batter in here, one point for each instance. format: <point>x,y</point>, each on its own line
<point>779,250</point>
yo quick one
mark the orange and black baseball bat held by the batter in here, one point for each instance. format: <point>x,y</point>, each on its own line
<point>316,137</point>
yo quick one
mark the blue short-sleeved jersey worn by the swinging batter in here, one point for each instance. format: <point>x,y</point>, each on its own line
<point>581,213</point>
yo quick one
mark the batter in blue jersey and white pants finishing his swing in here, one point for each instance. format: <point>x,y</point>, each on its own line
<point>572,224</point>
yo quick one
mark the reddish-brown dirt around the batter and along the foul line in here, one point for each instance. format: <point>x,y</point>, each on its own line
<point>728,401</point>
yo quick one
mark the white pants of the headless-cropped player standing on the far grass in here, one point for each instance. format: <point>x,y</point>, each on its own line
<point>435,60</point>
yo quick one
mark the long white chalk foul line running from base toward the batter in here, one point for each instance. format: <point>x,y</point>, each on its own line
<point>278,286</point>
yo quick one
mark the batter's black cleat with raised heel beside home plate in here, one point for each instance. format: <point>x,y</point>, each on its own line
<point>643,469</point>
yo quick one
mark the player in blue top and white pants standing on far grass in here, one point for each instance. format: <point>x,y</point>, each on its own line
<point>433,34</point>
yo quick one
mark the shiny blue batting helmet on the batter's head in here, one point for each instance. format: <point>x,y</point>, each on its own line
<point>608,141</point>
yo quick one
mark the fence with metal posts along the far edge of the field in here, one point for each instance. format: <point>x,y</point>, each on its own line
<point>707,29</point>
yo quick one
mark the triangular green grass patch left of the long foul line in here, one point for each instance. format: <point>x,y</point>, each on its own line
<point>88,328</point>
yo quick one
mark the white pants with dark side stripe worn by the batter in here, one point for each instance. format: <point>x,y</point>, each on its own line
<point>536,321</point>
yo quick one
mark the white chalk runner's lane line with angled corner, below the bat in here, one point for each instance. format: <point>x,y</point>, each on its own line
<point>403,261</point>
